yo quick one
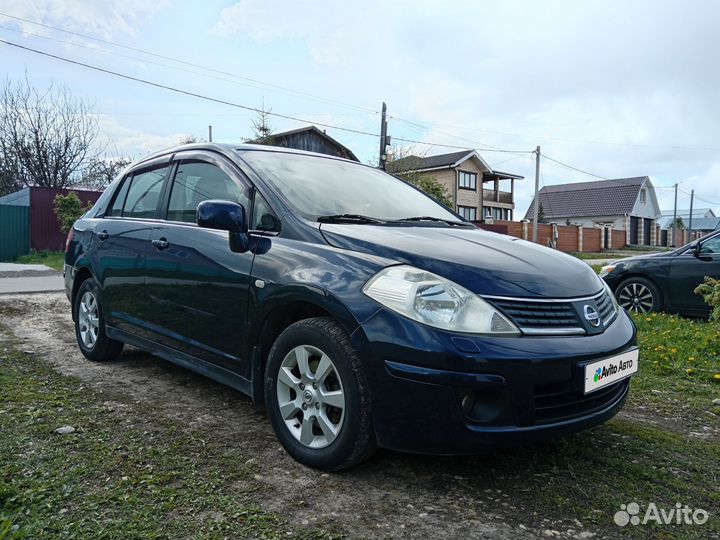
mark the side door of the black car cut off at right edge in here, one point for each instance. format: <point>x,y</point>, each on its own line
<point>688,270</point>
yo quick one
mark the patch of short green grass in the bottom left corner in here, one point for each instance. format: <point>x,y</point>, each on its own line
<point>120,476</point>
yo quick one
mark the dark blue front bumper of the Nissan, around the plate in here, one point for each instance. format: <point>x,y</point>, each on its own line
<point>518,389</point>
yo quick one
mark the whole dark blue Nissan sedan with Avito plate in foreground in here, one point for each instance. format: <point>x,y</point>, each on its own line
<point>361,312</point>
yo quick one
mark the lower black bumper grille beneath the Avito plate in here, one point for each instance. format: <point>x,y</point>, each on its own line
<point>555,404</point>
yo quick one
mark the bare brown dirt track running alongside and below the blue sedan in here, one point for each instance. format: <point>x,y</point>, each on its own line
<point>392,495</point>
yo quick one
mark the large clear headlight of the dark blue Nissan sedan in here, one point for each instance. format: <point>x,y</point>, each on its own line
<point>430,299</point>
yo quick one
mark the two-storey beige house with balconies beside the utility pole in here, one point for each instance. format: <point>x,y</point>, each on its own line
<point>465,175</point>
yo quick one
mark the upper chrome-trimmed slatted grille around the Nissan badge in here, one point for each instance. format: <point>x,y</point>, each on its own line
<point>555,317</point>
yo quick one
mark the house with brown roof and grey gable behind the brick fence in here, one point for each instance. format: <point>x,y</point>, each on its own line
<point>628,204</point>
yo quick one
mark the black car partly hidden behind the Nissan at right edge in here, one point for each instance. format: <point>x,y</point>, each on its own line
<point>666,281</point>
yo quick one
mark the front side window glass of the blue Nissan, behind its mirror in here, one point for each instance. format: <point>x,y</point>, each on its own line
<point>196,182</point>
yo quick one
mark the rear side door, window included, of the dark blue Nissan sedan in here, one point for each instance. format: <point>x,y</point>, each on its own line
<point>123,242</point>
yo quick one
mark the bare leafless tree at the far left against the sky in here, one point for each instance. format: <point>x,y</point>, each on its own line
<point>45,135</point>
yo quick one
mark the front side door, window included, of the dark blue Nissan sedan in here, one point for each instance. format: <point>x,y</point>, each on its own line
<point>197,286</point>
